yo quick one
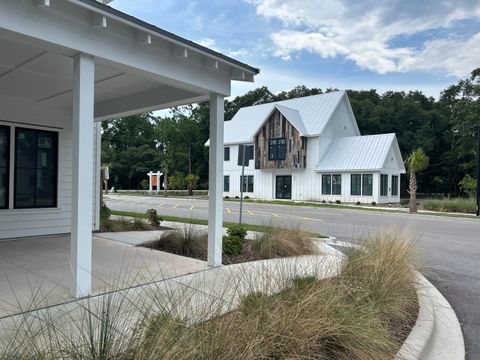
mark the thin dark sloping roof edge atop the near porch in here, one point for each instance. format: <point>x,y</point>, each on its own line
<point>163,33</point>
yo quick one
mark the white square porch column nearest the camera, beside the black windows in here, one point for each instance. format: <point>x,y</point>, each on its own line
<point>82,174</point>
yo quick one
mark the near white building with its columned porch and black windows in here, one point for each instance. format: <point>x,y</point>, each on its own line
<point>65,65</point>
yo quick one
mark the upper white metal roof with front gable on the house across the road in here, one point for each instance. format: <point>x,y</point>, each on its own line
<point>308,115</point>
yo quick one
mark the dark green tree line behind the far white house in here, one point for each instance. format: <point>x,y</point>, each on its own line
<point>444,128</point>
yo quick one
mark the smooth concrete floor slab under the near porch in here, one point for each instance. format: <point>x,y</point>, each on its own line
<point>36,272</point>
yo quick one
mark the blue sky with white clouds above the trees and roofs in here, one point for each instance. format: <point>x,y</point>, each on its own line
<point>405,45</point>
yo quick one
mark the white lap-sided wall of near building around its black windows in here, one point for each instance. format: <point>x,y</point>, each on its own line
<point>45,221</point>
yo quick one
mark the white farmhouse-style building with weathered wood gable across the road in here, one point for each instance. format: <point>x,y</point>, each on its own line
<point>310,148</point>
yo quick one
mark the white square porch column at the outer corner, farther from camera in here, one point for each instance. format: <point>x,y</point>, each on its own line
<point>215,181</point>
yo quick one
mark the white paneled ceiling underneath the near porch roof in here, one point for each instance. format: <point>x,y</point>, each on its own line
<point>42,75</point>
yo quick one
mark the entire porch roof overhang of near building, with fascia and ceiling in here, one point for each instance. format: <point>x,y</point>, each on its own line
<point>138,67</point>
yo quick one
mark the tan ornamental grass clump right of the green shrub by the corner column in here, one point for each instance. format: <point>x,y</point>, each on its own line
<point>282,242</point>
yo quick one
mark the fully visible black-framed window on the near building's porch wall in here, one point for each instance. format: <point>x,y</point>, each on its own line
<point>36,167</point>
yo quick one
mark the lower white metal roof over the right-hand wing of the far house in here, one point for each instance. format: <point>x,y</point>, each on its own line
<point>359,153</point>
